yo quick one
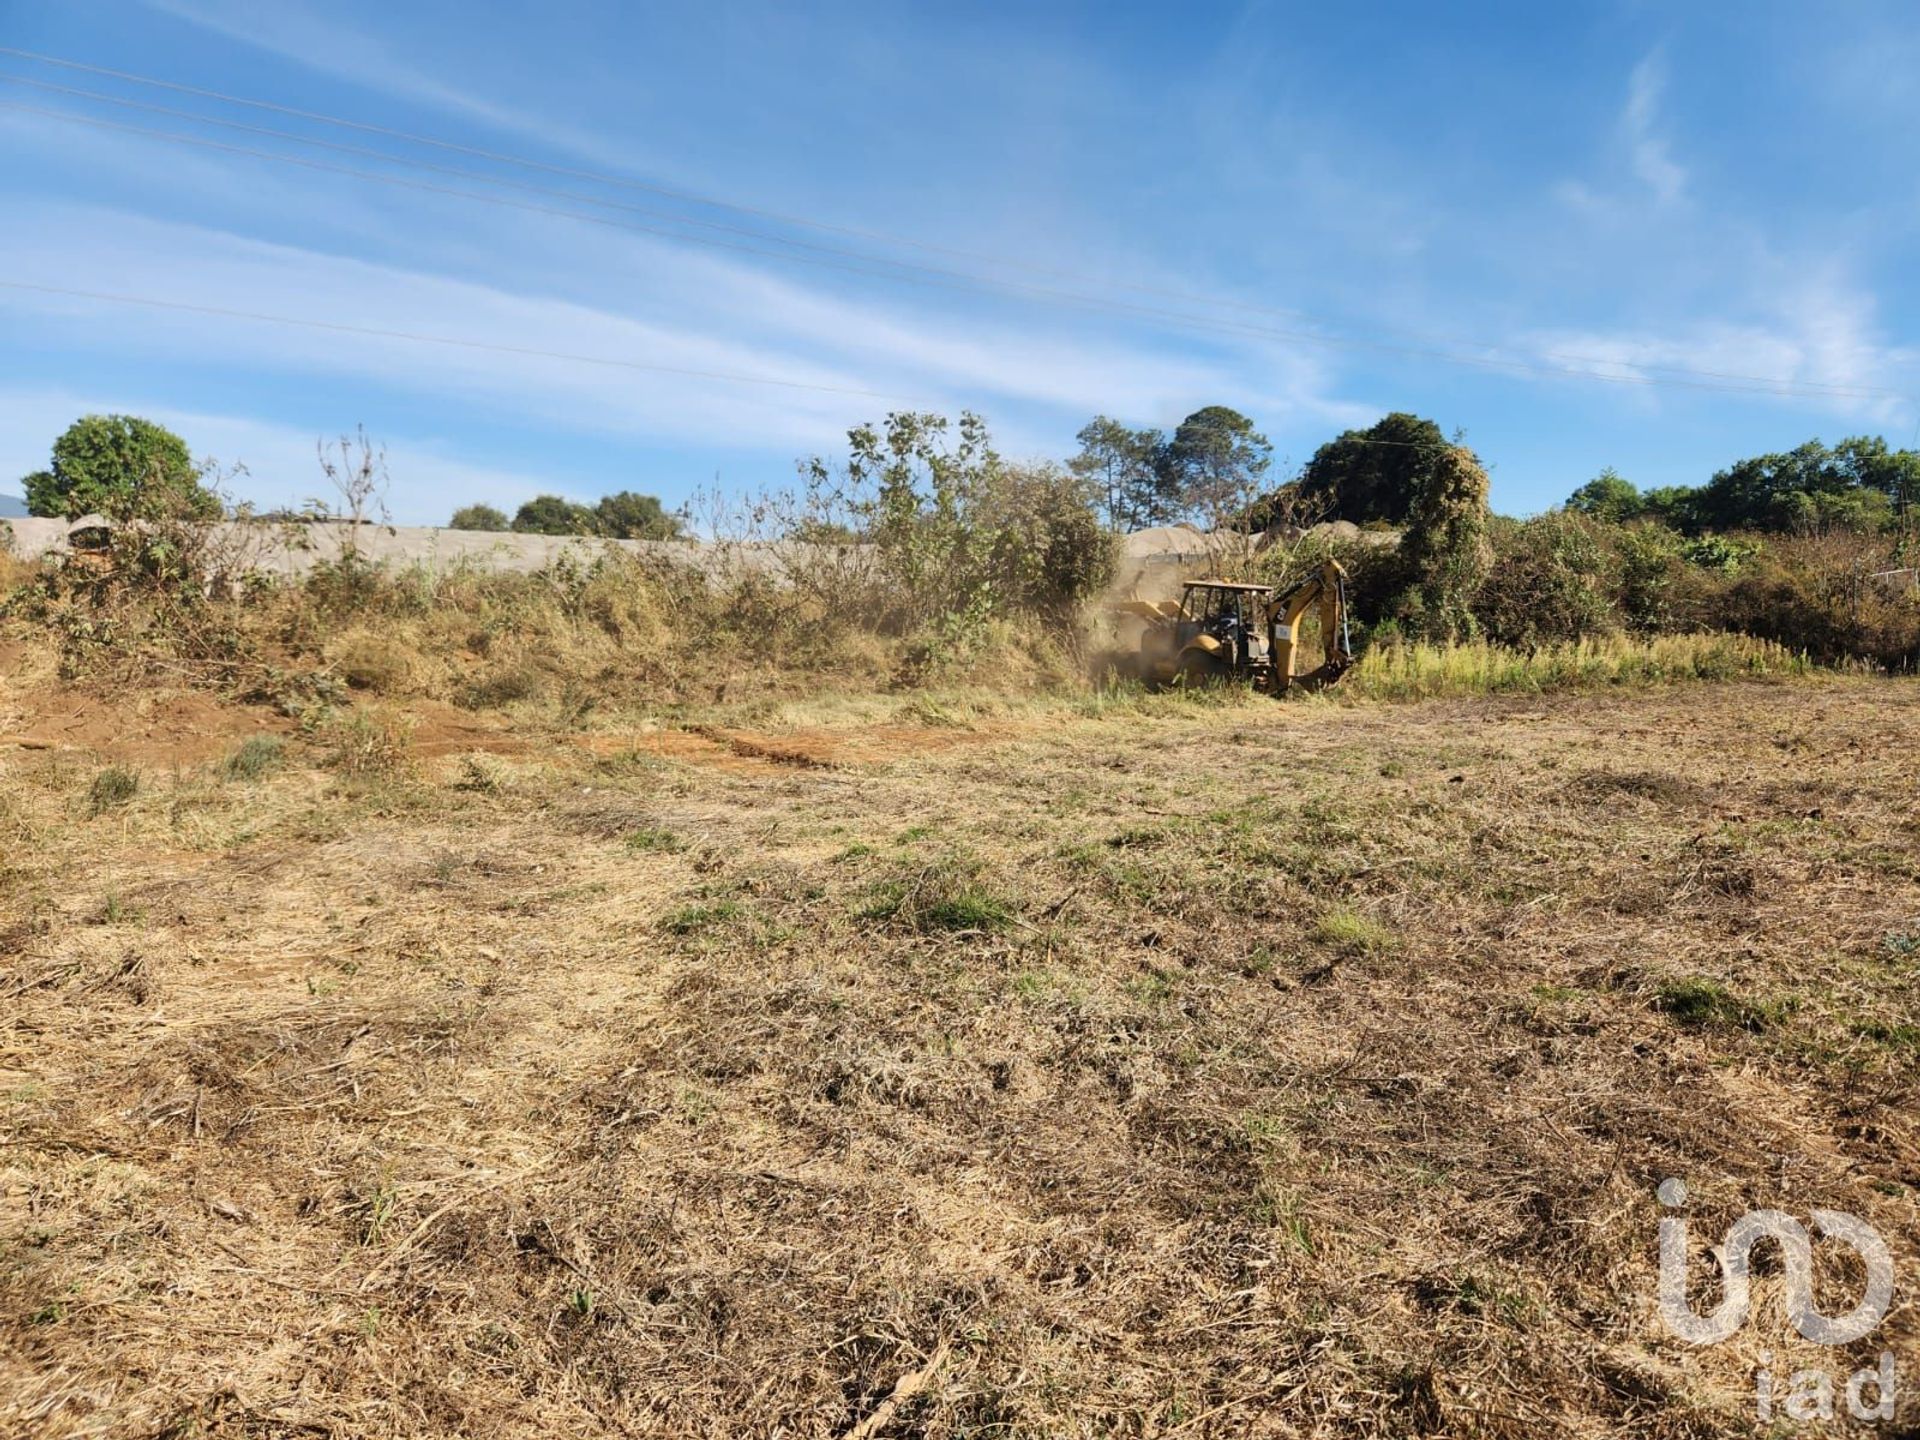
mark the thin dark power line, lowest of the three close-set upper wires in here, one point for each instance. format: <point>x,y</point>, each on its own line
<point>963,281</point>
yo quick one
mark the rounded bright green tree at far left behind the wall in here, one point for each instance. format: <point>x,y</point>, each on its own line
<point>122,468</point>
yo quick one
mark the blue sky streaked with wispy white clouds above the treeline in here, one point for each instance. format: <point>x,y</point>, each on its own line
<point>1314,214</point>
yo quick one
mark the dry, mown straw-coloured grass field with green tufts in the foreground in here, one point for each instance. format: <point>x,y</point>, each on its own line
<point>1086,1067</point>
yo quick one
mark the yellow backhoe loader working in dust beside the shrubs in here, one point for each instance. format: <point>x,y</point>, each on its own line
<point>1224,631</point>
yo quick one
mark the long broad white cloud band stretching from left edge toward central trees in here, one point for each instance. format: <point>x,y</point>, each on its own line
<point>679,310</point>
